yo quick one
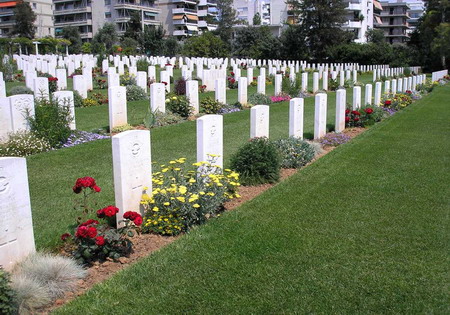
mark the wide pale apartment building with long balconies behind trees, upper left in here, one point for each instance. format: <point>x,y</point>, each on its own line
<point>90,15</point>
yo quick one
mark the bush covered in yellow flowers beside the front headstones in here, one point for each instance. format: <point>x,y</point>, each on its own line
<point>182,198</point>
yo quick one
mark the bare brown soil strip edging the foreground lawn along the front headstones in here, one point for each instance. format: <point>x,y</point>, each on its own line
<point>145,244</point>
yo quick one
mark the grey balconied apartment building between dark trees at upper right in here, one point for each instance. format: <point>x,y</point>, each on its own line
<point>395,24</point>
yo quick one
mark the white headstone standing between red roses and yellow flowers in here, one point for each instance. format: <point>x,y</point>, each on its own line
<point>132,169</point>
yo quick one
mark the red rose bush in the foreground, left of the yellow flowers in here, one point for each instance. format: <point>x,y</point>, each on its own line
<point>99,238</point>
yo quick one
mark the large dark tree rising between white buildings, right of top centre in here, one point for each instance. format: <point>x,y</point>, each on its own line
<point>320,22</point>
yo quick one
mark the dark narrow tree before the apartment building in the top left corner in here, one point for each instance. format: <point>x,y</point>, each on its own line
<point>24,20</point>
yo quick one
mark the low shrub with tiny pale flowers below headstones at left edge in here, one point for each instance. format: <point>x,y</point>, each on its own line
<point>23,144</point>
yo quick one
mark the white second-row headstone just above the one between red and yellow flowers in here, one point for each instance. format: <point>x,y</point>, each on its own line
<point>117,104</point>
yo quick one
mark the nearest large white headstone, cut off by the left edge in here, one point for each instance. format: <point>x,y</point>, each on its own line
<point>16,226</point>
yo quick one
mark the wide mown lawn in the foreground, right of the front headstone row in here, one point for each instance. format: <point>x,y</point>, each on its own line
<point>362,230</point>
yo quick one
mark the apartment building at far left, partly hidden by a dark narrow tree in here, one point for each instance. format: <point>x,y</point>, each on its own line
<point>44,17</point>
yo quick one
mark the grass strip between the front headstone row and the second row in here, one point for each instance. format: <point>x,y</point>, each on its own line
<point>52,174</point>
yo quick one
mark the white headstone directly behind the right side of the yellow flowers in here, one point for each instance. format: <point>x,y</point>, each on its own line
<point>210,139</point>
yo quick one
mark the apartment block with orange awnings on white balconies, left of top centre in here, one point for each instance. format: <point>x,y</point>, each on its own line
<point>185,18</point>
